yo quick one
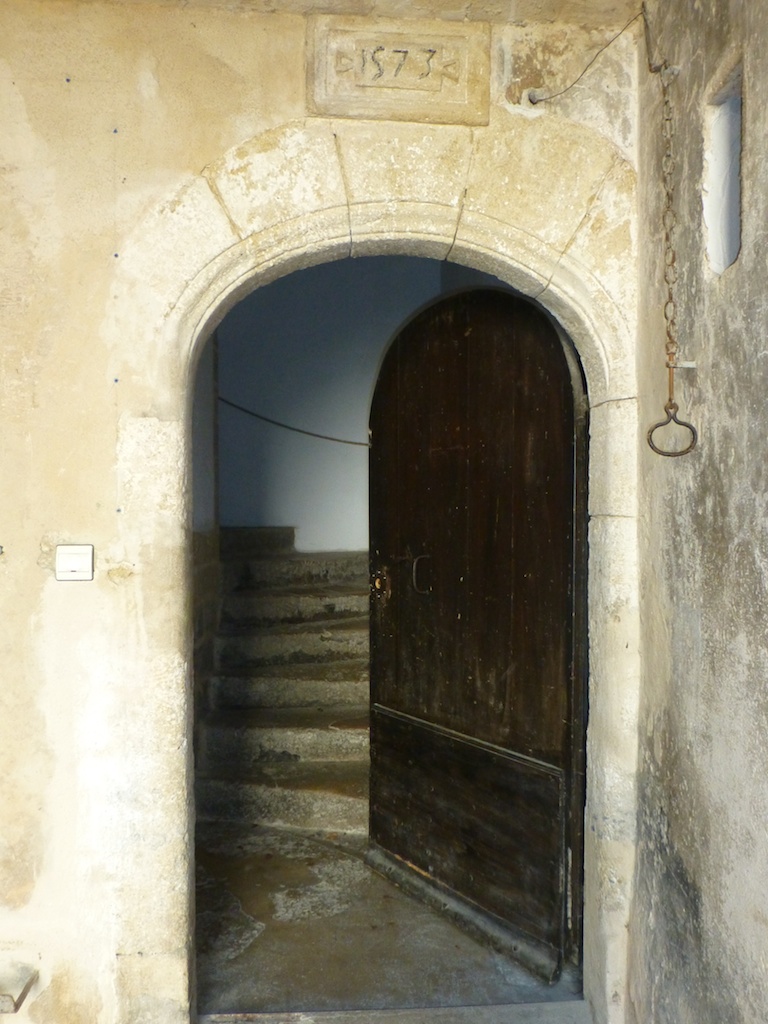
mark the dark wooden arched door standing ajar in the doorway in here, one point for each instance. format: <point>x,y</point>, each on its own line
<point>478,708</point>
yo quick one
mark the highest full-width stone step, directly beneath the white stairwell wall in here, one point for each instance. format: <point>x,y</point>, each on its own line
<point>288,569</point>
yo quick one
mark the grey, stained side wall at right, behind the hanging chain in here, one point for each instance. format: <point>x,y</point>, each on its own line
<point>700,930</point>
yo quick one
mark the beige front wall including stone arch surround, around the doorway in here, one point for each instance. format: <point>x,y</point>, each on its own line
<point>159,162</point>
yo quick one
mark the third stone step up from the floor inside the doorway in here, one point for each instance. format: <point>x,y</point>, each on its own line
<point>300,686</point>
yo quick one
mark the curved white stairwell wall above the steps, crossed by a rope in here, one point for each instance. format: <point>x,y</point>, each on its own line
<point>307,351</point>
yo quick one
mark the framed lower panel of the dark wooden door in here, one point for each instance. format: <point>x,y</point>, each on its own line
<point>484,825</point>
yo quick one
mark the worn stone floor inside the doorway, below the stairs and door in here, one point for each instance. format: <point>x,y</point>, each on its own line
<point>292,923</point>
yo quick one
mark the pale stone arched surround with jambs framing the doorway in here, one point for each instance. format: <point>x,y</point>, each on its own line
<point>545,205</point>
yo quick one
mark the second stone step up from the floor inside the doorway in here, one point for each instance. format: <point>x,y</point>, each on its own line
<point>233,743</point>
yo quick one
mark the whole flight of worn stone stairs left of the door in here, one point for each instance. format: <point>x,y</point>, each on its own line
<point>283,739</point>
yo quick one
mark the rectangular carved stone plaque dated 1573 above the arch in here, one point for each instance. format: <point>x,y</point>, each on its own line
<point>436,72</point>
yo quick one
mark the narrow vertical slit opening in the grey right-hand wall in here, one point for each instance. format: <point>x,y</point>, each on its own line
<point>721,198</point>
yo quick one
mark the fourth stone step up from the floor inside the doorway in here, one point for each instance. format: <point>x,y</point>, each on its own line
<point>319,642</point>
